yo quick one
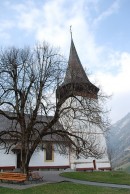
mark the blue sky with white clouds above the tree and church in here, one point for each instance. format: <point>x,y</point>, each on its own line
<point>101,33</point>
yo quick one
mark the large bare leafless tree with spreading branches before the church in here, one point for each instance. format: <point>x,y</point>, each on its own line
<point>28,81</point>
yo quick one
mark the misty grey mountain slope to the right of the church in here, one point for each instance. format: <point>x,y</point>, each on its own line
<point>119,143</point>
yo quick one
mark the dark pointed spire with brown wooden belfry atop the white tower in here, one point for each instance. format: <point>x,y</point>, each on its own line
<point>76,82</point>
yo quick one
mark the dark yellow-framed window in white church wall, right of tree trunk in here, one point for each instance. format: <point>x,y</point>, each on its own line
<point>49,153</point>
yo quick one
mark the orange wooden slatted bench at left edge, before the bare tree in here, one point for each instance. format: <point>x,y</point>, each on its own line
<point>11,176</point>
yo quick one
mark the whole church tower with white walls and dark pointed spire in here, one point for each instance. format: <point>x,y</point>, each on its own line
<point>76,84</point>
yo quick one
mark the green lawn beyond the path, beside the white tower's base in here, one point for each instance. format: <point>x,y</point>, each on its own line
<point>116,177</point>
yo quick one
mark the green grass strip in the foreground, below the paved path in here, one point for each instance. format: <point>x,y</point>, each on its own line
<point>65,188</point>
